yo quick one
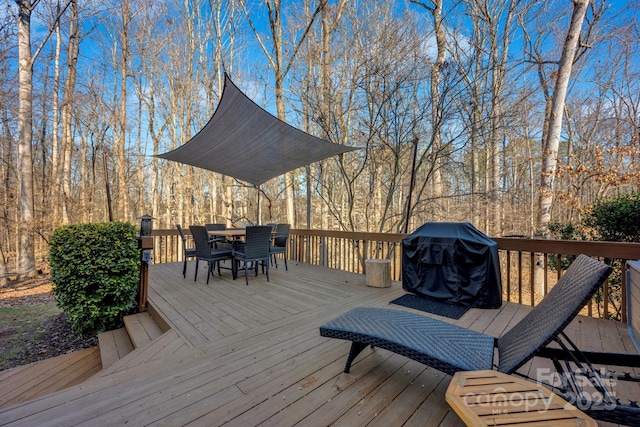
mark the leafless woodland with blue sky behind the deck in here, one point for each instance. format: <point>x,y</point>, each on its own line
<point>509,114</point>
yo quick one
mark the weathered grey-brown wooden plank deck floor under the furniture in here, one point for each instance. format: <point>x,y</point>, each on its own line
<point>240,355</point>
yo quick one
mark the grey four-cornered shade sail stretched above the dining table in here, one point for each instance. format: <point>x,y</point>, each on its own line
<point>245,142</point>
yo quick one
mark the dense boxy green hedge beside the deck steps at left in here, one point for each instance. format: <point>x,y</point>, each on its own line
<point>95,272</point>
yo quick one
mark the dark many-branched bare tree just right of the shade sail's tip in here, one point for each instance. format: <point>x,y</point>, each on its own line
<point>378,102</point>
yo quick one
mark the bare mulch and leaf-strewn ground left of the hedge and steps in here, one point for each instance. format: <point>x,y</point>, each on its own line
<point>32,328</point>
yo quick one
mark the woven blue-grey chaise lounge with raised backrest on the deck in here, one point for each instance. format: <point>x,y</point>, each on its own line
<point>450,348</point>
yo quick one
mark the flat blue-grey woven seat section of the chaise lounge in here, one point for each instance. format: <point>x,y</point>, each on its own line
<point>439,344</point>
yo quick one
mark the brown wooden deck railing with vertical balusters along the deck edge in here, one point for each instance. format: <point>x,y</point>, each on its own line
<point>520,282</point>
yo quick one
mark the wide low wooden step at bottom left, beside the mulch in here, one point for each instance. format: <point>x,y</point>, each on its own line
<point>47,376</point>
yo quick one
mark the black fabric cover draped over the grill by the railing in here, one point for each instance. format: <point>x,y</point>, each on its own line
<point>452,262</point>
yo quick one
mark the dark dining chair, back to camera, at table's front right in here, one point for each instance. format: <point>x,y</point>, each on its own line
<point>255,250</point>
